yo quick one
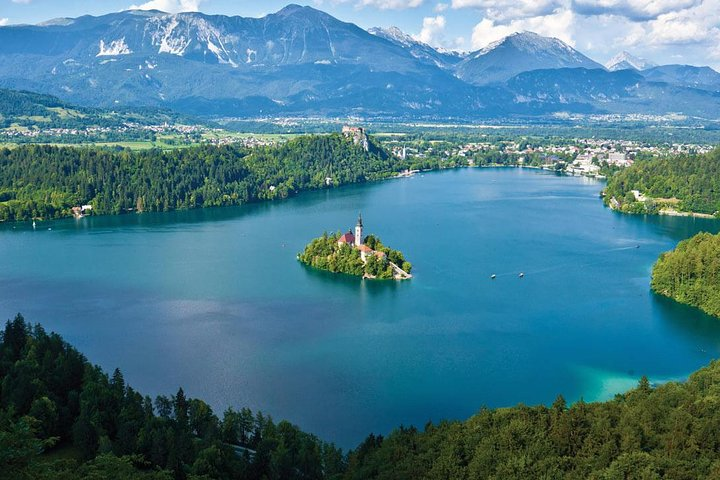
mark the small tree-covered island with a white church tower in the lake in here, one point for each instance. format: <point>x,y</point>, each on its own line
<point>349,253</point>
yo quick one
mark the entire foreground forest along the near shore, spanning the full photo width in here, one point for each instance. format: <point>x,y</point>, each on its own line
<point>63,418</point>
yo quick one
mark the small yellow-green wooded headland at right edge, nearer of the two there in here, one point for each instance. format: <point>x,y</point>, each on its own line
<point>690,274</point>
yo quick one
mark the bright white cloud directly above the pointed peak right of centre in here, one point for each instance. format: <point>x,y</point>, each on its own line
<point>558,24</point>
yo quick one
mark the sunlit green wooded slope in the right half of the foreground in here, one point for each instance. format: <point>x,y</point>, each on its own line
<point>672,431</point>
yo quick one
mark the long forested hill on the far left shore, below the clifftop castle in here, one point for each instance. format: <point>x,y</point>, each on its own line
<point>38,181</point>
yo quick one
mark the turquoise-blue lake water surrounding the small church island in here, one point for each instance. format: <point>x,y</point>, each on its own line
<point>214,300</point>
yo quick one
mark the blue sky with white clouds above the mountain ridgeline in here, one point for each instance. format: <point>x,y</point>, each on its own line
<point>662,31</point>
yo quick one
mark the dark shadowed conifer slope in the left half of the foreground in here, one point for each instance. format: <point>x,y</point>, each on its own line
<point>52,397</point>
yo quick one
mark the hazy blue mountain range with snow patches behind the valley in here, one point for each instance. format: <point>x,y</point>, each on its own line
<point>302,61</point>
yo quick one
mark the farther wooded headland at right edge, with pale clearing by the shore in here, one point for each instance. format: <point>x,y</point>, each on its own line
<point>694,180</point>
